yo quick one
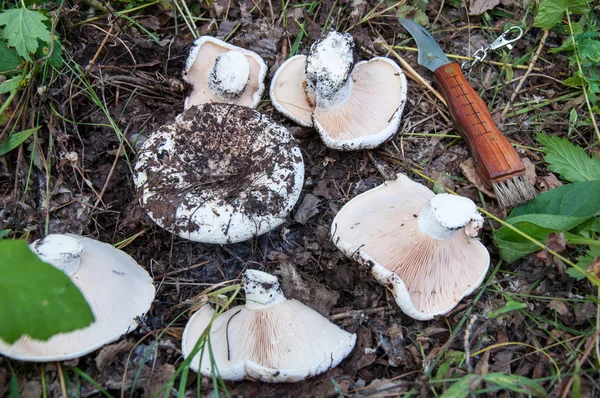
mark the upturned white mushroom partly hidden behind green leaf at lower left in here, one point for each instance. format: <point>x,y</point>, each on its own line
<point>117,289</point>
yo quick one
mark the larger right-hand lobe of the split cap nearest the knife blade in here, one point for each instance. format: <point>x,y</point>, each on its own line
<point>373,111</point>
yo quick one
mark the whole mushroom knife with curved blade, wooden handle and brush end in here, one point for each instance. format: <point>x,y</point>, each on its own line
<point>497,163</point>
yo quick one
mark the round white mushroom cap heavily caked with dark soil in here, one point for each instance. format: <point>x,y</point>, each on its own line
<point>220,173</point>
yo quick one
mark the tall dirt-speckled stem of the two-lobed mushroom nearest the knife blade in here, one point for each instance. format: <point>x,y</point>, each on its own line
<point>329,67</point>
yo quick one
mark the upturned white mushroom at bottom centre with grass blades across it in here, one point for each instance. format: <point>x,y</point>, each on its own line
<point>270,338</point>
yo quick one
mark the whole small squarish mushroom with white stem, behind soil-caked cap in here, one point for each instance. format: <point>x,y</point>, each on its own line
<point>223,73</point>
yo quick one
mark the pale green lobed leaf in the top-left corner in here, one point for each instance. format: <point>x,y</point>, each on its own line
<point>23,29</point>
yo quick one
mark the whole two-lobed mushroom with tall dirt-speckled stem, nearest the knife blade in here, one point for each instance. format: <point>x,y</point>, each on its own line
<point>352,106</point>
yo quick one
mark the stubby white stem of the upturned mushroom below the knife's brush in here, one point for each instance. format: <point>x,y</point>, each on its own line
<point>445,214</point>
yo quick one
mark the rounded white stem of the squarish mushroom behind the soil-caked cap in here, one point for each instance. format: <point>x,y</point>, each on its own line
<point>229,75</point>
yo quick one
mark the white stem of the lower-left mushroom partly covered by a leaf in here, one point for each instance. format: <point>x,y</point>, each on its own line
<point>61,251</point>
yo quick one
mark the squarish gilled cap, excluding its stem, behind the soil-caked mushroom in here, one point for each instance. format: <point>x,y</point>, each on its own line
<point>202,57</point>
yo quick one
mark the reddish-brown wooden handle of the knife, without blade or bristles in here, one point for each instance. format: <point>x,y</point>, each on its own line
<point>496,159</point>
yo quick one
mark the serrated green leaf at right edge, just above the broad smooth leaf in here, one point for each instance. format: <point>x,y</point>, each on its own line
<point>569,160</point>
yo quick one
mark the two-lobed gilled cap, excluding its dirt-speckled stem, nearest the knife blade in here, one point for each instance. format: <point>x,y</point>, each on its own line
<point>370,116</point>
